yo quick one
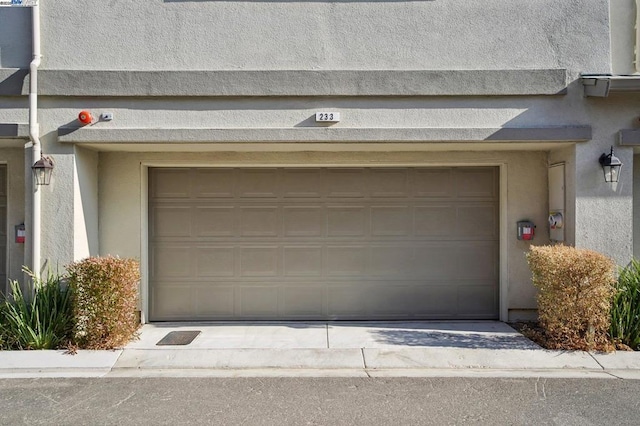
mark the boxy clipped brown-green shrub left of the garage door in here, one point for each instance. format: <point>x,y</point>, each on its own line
<point>105,301</point>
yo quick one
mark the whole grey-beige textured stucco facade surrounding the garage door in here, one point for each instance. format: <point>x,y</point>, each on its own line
<point>218,84</point>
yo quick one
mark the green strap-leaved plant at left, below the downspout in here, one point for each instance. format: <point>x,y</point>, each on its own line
<point>41,321</point>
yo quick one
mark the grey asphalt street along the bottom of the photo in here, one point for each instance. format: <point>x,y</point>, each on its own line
<point>318,401</point>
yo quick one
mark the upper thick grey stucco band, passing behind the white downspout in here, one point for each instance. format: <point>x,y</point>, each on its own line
<point>288,83</point>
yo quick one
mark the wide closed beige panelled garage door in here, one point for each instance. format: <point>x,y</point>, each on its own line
<point>323,243</point>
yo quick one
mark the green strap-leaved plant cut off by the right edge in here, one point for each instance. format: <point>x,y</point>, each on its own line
<point>625,310</point>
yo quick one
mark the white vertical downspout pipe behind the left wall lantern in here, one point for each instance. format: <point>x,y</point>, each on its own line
<point>34,134</point>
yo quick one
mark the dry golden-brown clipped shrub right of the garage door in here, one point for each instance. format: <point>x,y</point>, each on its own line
<point>576,287</point>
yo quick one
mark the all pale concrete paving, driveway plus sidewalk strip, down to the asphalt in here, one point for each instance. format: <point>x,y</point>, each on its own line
<point>366,349</point>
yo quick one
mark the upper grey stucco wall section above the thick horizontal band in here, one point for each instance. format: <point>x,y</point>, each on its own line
<point>444,34</point>
